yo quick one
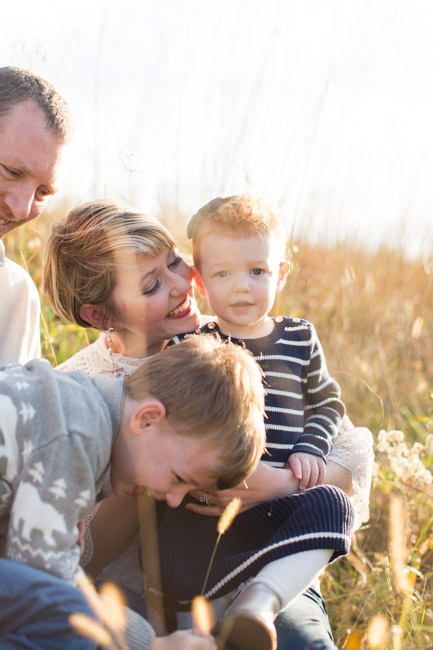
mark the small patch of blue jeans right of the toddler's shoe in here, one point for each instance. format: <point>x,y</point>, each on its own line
<point>304,625</point>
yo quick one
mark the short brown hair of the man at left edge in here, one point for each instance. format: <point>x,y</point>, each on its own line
<point>18,85</point>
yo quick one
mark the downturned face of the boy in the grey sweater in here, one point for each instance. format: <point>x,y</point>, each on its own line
<point>165,463</point>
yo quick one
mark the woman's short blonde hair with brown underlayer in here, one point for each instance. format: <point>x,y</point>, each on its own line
<point>80,259</point>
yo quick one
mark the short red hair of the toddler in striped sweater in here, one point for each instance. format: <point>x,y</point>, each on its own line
<point>241,215</point>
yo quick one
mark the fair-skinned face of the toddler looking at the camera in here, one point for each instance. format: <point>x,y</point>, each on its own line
<point>240,277</point>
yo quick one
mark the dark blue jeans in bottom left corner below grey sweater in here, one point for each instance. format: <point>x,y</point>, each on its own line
<point>34,610</point>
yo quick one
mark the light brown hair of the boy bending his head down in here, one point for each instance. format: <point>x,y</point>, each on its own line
<point>211,389</point>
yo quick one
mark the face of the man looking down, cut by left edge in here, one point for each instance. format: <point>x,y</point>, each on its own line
<point>30,162</point>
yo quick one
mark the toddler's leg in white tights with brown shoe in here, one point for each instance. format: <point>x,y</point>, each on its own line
<point>249,620</point>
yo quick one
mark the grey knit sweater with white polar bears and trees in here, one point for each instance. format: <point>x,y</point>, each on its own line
<point>56,434</point>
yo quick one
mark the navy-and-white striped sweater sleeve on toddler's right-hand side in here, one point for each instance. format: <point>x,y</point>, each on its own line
<point>324,410</point>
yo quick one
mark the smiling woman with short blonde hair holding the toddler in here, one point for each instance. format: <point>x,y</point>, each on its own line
<point>118,271</point>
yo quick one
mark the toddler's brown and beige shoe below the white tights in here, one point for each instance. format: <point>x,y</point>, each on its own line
<point>248,622</point>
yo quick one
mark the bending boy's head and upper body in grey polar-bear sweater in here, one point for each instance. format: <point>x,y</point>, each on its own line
<point>190,417</point>
